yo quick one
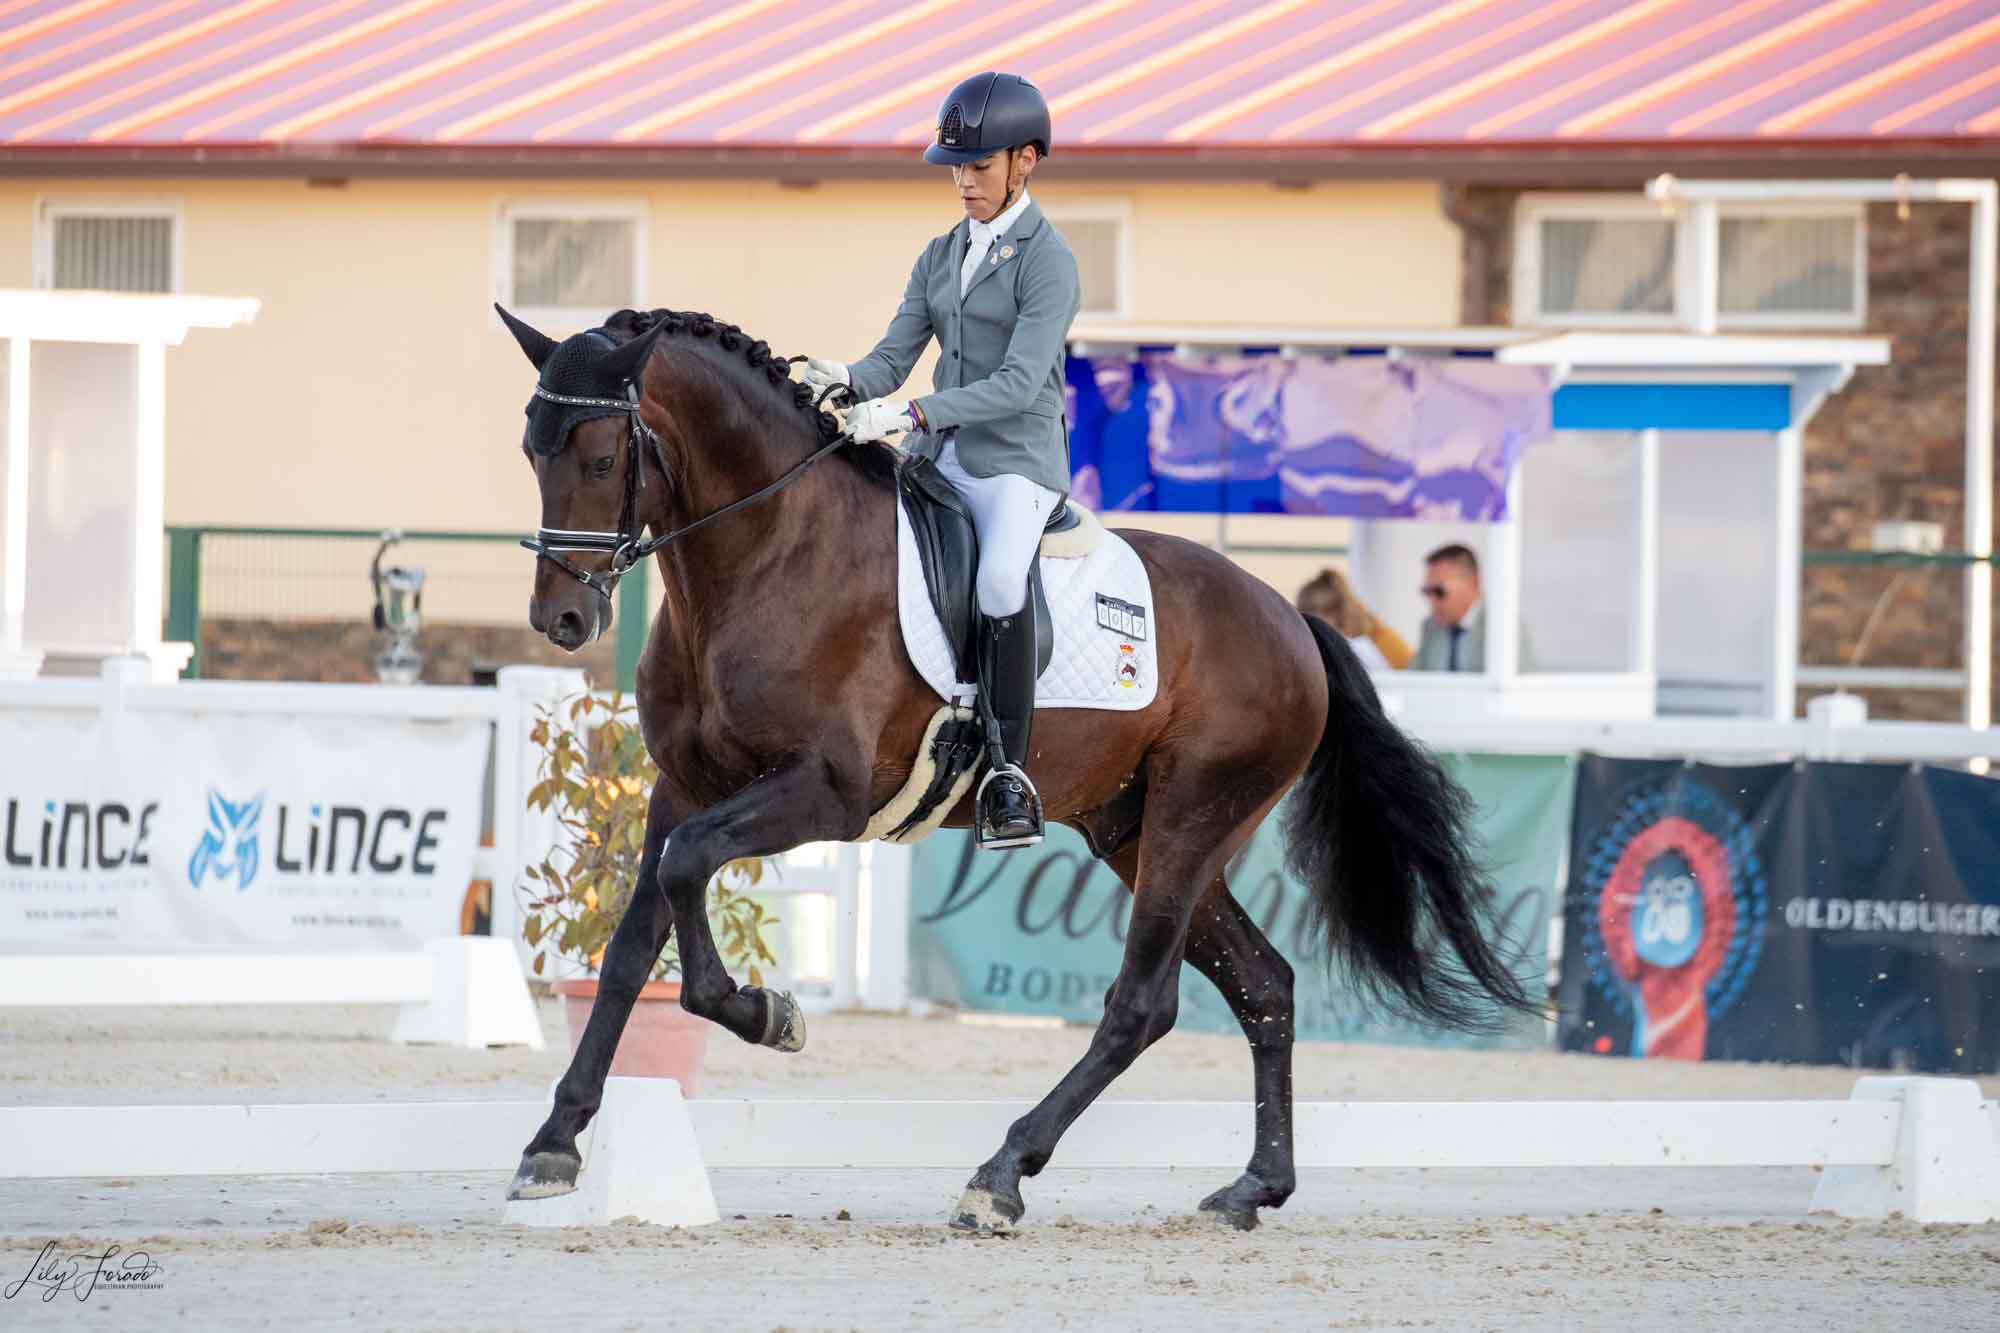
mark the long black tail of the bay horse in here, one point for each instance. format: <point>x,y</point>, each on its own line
<point>1383,840</point>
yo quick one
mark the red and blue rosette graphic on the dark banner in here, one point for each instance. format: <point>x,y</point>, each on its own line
<point>1679,920</point>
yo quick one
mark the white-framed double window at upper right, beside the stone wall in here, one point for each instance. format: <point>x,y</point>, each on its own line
<point>1619,261</point>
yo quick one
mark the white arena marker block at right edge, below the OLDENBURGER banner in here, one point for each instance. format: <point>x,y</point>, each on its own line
<point>1947,1166</point>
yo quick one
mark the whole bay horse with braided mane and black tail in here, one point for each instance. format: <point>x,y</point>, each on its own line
<point>781,708</point>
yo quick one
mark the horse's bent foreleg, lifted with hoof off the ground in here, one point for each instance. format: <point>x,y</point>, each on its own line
<point>779,812</point>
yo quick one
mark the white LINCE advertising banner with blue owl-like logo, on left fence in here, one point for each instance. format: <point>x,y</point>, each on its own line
<point>141,832</point>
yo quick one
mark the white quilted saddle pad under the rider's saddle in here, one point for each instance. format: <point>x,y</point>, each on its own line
<point>1101,607</point>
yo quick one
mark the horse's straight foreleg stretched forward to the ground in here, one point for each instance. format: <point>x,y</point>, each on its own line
<point>551,1162</point>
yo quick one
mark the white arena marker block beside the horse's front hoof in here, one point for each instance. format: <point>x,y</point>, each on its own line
<point>641,1162</point>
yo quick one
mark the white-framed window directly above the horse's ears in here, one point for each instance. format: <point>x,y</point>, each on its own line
<point>571,261</point>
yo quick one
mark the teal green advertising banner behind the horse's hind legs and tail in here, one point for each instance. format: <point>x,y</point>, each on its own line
<point>1041,932</point>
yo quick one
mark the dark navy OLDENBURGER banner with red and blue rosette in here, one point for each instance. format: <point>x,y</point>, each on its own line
<point>1827,914</point>
